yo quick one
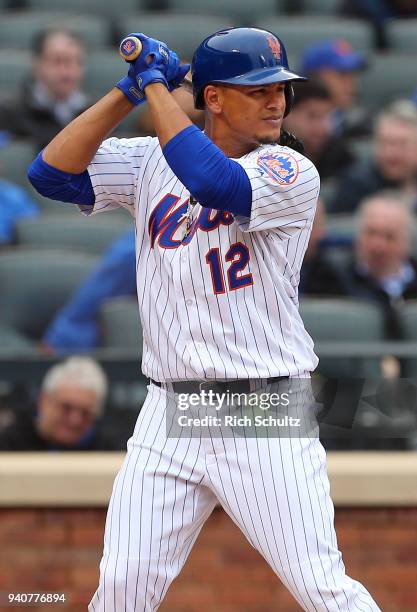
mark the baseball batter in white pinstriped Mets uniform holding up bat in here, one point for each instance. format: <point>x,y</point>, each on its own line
<point>222,220</point>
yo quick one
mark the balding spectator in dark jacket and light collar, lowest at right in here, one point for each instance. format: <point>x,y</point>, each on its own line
<point>382,269</point>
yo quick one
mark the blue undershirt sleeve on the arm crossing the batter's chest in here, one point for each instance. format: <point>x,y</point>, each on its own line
<point>213,179</point>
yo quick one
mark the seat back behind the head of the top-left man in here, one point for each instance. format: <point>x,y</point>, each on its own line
<point>17,30</point>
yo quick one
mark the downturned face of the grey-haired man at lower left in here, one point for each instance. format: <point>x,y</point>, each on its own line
<point>67,414</point>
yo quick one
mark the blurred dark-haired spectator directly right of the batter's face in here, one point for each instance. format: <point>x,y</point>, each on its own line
<point>311,121</point>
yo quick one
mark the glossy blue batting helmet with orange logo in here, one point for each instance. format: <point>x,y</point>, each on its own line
<point>242,56</point>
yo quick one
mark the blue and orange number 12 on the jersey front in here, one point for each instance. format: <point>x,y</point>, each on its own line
<point>238,255</point>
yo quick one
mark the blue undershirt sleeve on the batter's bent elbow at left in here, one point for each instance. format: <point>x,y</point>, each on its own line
<point>58,185</point>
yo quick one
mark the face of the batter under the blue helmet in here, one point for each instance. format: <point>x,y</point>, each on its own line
<point>252,115</point>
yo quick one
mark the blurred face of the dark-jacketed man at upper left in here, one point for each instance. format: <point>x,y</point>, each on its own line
<point>60,67</point>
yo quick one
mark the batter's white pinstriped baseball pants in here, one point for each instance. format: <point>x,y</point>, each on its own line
<point>275,489</point>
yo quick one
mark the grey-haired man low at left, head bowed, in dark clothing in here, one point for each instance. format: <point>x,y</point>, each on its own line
<point>69,406</point>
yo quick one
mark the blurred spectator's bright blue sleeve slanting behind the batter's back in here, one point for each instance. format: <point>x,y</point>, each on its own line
<point>76,326</point>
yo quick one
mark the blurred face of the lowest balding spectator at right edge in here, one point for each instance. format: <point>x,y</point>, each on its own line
<point>383,242</point>
